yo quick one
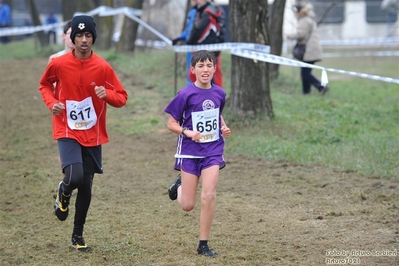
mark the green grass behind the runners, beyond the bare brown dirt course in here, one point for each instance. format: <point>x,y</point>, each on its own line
<point>354,127</point>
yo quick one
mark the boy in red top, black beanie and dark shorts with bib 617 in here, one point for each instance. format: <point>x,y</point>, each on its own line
<point>86,83</point>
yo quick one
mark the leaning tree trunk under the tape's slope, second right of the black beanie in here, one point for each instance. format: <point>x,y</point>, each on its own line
<point>129,29</point>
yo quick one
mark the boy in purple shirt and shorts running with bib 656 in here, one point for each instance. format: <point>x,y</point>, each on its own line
<point>196,116</point>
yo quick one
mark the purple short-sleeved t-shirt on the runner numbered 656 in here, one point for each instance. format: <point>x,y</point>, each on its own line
<point>199,110</point>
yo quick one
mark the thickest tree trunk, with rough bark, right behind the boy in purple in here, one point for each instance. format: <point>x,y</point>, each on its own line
<point>250,92</point>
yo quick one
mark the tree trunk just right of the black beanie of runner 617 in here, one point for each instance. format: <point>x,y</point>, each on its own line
<point>104,28</point>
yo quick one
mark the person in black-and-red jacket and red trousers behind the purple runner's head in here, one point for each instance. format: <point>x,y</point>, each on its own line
<point>206,31</point>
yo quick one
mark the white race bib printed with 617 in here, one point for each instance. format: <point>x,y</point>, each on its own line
<point>81,115</point>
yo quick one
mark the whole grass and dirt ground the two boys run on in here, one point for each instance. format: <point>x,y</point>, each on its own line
<point>322,177</point>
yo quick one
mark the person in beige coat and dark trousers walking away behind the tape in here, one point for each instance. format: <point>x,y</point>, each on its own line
<point>306,33</point>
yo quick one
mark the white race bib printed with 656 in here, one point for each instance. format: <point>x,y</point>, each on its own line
<point>207,123</point>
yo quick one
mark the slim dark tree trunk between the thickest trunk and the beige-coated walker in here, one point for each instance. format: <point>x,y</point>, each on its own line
<point>276,33</point>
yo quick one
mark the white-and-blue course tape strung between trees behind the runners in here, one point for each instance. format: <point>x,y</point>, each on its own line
<point>256,52</point>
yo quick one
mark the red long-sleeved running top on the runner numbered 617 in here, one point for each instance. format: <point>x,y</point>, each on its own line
<point>76,80</point>
